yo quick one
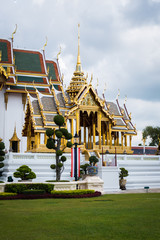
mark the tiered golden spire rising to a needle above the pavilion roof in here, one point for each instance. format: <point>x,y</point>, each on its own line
<point>78,80</point>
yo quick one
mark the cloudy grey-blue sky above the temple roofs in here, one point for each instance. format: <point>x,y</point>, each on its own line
<point>120,45</point>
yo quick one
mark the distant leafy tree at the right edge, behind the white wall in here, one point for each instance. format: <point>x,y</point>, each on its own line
<point>153,133</point>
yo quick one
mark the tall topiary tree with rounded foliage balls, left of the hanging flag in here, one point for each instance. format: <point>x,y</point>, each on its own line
<point>55,143</point>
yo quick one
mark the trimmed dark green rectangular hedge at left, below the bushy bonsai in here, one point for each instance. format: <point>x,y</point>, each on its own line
<point>21,187</point>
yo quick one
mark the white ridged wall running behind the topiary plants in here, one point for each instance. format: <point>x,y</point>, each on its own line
<point>143,170</point>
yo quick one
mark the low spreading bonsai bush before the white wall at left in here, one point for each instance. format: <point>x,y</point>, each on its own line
<point>25,173</point>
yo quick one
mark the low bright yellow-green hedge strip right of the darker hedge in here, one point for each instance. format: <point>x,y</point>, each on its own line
<point>73,192</point>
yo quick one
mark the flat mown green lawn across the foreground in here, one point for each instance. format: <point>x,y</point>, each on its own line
<point>125,216</point>
